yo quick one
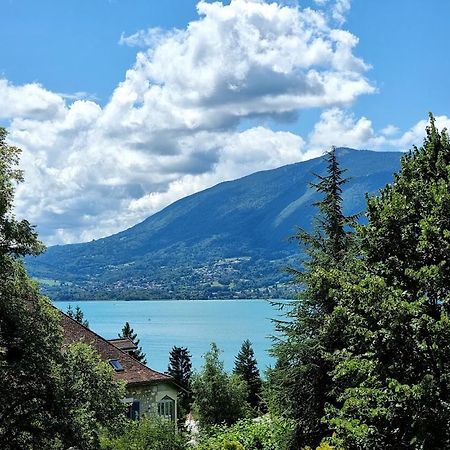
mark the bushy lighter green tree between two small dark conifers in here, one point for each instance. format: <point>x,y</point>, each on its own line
<point>219,398</point>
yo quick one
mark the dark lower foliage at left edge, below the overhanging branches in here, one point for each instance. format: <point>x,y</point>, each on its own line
<point>30,339</point>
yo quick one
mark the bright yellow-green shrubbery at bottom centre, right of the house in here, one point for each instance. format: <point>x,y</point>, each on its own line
<point>264,433</point>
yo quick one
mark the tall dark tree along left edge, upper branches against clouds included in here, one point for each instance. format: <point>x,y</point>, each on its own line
<point>28,326</point>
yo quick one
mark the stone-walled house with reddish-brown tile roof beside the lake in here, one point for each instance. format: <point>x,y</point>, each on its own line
<point>148,392</point>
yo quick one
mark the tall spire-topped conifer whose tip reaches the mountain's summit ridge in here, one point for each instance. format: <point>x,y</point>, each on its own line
<point>300,385</point>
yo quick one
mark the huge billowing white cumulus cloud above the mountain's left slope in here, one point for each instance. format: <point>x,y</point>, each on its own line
<point>174,125</point>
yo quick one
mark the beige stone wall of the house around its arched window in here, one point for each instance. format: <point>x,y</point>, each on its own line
<point>149,396</point>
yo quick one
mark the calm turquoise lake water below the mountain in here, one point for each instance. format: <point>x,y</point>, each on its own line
<point>188,323</point>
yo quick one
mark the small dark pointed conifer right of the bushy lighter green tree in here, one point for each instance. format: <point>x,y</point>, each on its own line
<point>246,366</point>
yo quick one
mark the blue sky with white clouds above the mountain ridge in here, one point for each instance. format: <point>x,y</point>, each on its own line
<point>123,107</point>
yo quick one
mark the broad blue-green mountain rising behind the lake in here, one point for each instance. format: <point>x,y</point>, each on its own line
<point>229,241</point>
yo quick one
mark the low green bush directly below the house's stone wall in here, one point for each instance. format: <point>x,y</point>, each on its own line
<point>146,434</point>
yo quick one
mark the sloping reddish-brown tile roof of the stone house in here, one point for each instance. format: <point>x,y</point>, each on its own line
<point>134,372</point>
